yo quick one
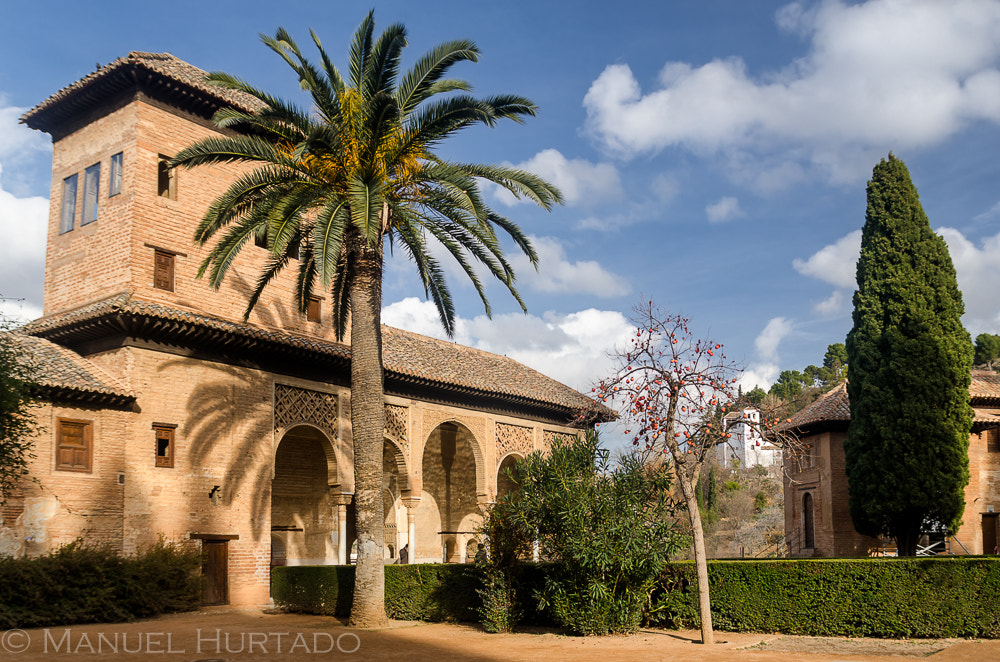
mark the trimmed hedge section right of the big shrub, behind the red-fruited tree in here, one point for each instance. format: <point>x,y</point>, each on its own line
<point>939,597</point>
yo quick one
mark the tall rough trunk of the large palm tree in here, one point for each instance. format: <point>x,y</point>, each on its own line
<point>368,425</point>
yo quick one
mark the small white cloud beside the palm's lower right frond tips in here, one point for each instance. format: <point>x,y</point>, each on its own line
<point>558,274</point>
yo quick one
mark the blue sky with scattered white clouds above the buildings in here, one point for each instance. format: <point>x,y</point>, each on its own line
<point>713,154</point>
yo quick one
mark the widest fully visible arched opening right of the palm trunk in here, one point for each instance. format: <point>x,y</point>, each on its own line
<point>449,508</point>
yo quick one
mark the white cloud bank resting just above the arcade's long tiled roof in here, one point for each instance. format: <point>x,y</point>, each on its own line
<point>569,348</point>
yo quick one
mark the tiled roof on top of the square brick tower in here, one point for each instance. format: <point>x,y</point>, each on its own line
<point>164,64</point>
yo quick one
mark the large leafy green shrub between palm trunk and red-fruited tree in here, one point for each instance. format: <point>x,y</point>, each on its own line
<point>607,532</point>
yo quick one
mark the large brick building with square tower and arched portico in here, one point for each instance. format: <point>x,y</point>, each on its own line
<point>163,413</point>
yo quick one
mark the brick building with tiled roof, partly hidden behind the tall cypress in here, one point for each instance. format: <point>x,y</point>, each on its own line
<point>817,520</point>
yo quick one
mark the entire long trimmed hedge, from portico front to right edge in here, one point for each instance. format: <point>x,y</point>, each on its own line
<point>938,597</point>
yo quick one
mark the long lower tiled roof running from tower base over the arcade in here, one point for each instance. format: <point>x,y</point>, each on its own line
<point>405,353</point>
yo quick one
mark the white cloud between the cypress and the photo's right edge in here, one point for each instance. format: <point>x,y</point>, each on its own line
<point>978,270</point>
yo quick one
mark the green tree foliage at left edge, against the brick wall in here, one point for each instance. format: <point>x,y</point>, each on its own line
<point>17,424</point>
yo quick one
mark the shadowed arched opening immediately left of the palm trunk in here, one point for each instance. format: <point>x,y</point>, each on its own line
<point>301,509</point>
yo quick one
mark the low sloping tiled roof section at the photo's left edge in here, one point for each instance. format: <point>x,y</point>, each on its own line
<point>55,367</point>
